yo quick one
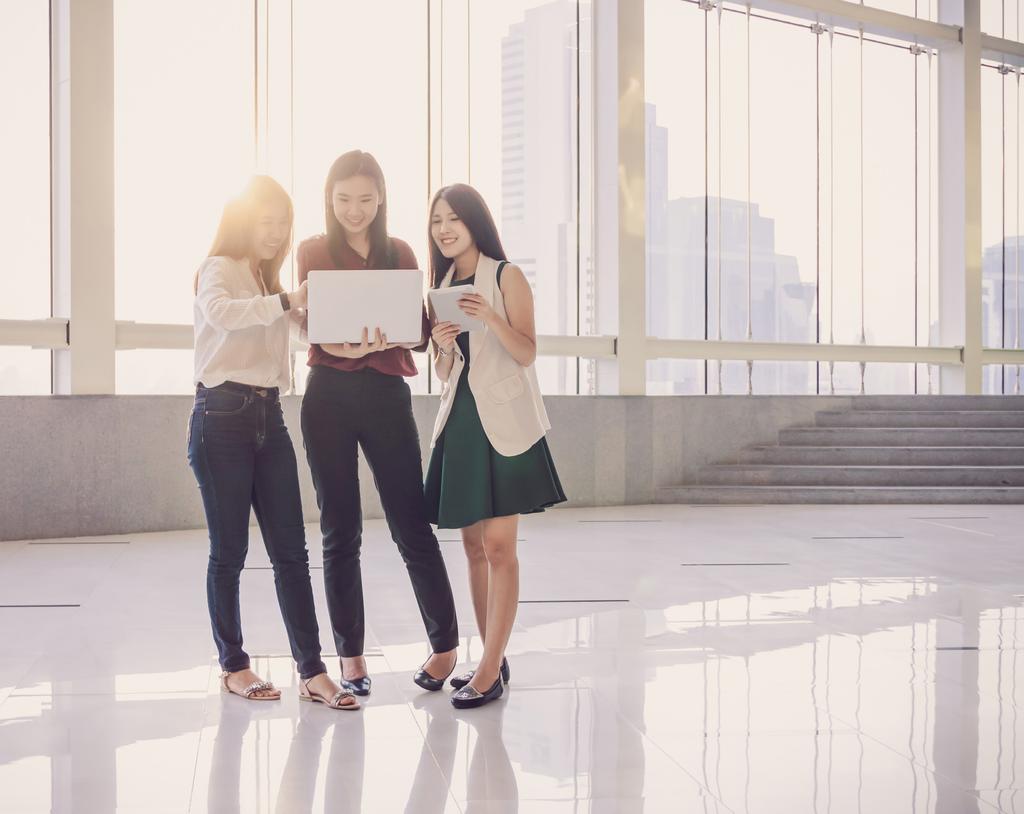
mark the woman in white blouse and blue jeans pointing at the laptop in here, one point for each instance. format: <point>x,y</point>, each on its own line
<point>239,447</point>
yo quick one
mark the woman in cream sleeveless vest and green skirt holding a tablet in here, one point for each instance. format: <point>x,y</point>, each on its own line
<point>491,462</point>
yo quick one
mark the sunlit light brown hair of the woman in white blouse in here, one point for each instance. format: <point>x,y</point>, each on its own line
<point>235,235</point>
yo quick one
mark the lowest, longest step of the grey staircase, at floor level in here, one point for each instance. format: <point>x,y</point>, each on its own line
<point>841,495</point>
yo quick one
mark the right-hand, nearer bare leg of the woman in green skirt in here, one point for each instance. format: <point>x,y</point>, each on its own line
<point>503,595</point>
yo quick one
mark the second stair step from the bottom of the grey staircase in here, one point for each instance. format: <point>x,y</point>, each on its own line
<point>824,476</point>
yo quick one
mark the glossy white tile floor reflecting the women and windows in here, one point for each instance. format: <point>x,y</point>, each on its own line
<point>666,660</point>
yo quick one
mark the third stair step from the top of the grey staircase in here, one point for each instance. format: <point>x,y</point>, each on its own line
<point>903,437</point>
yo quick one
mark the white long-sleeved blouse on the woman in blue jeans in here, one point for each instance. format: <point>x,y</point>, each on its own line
<point>242,333</point>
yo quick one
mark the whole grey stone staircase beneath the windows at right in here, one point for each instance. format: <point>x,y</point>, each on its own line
<point>924,449</point>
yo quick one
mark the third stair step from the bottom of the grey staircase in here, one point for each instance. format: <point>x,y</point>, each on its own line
<point>885,456</point>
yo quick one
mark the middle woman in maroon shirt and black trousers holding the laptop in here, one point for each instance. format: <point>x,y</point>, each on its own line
<point>357,397</point>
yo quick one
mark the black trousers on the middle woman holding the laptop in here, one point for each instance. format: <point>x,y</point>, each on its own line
<point>342,412</point>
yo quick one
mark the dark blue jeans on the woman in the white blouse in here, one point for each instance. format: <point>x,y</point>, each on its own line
<point>242,456</point>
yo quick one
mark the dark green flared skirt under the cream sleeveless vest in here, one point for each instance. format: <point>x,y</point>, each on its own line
<point>468,482</point>
